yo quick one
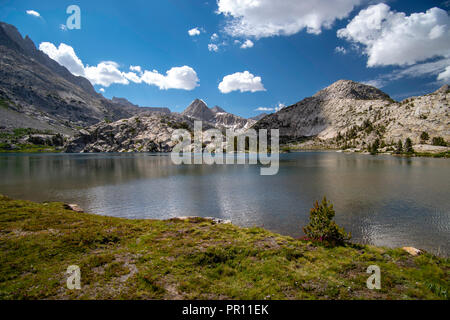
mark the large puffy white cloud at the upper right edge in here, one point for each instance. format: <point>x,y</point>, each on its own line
<point>393,38</point>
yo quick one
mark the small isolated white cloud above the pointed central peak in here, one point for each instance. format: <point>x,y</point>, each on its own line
<point>241,81</point>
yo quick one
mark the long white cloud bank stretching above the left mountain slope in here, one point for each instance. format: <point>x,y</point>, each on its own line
<point>108,72</point>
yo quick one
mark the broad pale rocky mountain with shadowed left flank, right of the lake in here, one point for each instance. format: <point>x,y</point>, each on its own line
<point>353,114</point>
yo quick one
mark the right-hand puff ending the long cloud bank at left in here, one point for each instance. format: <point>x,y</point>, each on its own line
<point>176,78</point>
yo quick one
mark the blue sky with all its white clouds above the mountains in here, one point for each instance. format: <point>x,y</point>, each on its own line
<point>247,56</point>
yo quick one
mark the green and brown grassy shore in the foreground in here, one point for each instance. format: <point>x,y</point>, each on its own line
<point>193,259</point>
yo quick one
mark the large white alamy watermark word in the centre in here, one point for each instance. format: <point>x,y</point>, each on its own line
<point>210,147</point>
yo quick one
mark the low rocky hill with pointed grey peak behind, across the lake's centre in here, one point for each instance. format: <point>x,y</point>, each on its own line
<point>152,132</point>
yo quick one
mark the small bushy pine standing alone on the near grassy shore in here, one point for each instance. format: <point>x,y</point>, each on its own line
<point>321,226</point>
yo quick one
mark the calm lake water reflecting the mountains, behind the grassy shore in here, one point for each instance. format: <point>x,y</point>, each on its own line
<point>382,200</point>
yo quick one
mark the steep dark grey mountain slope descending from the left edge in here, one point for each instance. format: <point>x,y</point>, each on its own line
<point>37,92</point>
